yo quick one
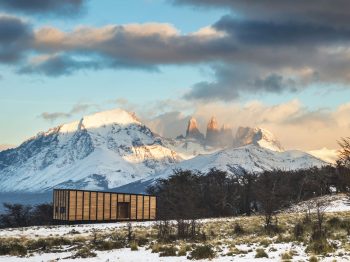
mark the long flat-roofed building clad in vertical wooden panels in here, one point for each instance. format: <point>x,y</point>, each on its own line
<point>89,206</point>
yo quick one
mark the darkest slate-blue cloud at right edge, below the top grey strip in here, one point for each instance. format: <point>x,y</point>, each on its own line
<point>287,33</point>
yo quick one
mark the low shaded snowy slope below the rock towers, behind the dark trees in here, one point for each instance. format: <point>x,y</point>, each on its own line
<point>250,158</point>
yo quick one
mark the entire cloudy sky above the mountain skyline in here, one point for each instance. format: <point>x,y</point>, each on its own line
<point>283,65</point>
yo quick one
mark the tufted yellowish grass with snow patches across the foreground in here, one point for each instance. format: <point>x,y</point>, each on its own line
<point>225,237</point>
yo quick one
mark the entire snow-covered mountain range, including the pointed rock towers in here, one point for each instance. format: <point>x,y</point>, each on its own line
<point>113,150</point>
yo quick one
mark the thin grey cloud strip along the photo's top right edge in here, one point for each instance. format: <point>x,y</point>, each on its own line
<point>327,12</point>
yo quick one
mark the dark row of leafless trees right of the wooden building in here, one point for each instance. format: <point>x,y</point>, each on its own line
<point>191,195</point>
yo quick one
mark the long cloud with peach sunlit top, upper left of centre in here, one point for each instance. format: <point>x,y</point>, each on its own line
<point>147,44</point>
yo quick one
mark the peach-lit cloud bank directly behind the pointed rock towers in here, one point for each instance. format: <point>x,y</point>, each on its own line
<point>294,124</point>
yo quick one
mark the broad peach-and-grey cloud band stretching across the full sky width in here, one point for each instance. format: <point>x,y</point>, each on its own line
<point>247,55</point>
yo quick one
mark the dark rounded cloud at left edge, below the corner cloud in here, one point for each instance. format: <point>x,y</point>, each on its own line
<point>15,38</point>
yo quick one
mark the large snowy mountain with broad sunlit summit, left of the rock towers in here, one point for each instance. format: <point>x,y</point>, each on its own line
<point>100,151</point>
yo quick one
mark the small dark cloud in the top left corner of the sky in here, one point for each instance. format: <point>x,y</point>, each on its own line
<point>43,7</point>
